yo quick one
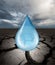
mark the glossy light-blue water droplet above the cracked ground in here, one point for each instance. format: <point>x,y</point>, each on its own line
<point>27,37</point>
